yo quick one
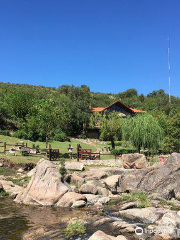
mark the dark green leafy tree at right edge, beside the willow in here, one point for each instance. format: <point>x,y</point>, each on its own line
<point>172,140</point>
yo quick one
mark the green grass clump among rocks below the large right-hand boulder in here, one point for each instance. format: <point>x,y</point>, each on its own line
<point>141,197</point>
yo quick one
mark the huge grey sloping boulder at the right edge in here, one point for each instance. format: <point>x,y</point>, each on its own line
<point>163,179</point>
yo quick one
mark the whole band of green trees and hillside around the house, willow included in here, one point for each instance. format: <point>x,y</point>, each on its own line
<point>38,114</point>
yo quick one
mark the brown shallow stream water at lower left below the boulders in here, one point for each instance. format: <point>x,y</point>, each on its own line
<point>15,219</point>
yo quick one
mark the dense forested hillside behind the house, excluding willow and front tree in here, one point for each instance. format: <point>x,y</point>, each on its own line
<point>41,113</point>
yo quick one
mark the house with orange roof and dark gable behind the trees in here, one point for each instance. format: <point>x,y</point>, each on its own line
<point>117,106</point>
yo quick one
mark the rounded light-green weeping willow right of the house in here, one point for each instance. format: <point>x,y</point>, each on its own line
<point>143,132</point>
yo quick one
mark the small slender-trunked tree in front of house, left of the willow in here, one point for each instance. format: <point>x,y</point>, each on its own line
<point>110,127</point>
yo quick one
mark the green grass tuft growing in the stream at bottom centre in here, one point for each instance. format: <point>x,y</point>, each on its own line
<point>73,229</point>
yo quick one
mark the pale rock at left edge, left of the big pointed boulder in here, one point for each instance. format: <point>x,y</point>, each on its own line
<point>11,188</point>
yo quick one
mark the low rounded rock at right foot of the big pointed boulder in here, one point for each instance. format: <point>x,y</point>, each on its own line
<point>70,198</point>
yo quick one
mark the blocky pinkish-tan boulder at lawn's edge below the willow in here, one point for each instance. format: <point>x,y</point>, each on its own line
<point>138,159</point>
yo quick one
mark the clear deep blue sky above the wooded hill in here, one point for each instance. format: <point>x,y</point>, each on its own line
<point>109,45</point>
